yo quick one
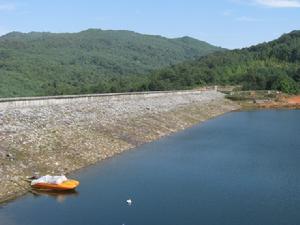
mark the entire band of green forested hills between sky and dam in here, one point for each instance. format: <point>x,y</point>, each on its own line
<point>96,61</point>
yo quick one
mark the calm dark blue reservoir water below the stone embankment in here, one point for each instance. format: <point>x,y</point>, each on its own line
<point>242,168</point>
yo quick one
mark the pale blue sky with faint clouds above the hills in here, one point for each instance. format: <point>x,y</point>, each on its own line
<point>226,23</point>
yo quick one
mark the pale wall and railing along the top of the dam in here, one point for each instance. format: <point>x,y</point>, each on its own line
<point>61,99</point>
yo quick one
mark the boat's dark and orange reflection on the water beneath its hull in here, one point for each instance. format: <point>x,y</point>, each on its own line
<point>59,196</point>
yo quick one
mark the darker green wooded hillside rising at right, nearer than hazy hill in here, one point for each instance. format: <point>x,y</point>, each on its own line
<point>272,65</point>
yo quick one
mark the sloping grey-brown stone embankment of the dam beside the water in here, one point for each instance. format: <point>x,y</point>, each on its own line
<point>59,135</point>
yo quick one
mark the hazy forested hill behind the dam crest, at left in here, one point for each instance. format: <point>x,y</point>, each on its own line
<point>72,63</point>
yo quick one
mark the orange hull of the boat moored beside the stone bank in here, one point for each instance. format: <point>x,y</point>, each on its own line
<point>64,186</point>
